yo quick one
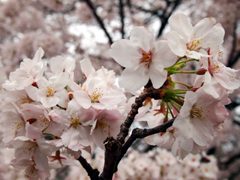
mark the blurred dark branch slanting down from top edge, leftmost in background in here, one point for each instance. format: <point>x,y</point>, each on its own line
<point>99,20</point>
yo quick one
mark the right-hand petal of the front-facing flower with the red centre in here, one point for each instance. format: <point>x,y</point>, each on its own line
<point>163,54</point>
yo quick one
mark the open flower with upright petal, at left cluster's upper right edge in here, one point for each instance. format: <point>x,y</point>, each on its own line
<point>99,90</point>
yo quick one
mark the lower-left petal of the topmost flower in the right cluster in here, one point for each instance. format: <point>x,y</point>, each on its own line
<point>176,43</point>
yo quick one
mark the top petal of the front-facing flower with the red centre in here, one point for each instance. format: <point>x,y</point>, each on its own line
<point>143,38</point>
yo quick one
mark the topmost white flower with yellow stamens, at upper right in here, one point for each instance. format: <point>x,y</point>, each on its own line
<point>184,39</point>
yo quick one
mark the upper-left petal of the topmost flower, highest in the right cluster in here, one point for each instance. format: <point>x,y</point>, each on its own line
<point>182,25</point>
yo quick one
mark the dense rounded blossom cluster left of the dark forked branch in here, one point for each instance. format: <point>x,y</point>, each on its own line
<point>45,112</point>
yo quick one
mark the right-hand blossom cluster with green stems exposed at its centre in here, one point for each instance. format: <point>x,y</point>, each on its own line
<point>198,108</point>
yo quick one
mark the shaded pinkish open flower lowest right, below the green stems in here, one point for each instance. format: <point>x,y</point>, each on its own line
<point>199,118</point>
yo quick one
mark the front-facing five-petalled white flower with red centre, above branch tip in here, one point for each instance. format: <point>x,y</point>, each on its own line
<point>143,59</point>
